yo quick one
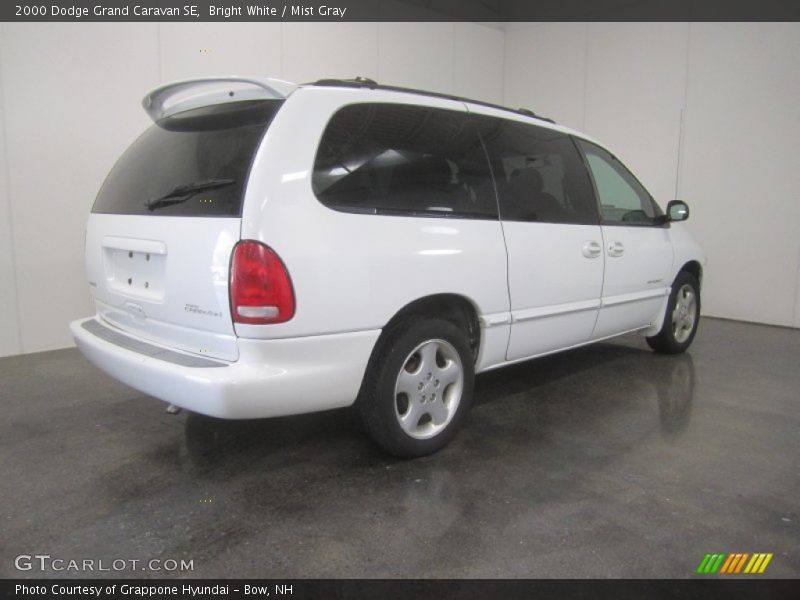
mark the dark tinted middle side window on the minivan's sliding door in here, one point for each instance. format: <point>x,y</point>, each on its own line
<point>540,175</point>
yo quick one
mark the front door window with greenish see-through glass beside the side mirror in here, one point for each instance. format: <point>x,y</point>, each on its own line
<point>622,198</point>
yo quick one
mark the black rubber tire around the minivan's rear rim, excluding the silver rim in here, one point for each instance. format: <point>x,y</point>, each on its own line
<point>378,405</point>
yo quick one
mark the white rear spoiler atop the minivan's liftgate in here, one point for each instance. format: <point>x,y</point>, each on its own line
<point>190,93</point>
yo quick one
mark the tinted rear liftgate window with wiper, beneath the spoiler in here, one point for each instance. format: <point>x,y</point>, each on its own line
<point>192,164</point>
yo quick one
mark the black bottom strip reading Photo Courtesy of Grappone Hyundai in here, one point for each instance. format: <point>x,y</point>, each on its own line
<point>710,588</point>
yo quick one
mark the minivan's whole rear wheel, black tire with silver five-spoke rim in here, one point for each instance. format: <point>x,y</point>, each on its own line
<point>418,388</point>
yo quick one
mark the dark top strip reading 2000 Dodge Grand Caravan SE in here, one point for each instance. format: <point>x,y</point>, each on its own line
<point>493,11</point>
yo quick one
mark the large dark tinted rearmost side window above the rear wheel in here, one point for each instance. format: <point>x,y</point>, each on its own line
<point>403,159</point>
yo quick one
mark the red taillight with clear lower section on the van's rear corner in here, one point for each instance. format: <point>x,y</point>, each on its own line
<point>260,288</point>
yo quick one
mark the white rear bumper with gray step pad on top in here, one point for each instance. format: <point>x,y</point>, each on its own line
<point>271,378</point>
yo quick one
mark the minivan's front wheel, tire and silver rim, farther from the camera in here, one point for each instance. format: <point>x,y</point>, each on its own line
<point>681,317</point>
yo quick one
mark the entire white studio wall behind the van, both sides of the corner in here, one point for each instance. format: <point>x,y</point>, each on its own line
<point>708,109</point>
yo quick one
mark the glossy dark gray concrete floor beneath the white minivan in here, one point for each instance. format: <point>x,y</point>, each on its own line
<point>606,461</point>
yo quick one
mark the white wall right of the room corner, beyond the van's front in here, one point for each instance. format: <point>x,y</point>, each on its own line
<point>705,112</point>
